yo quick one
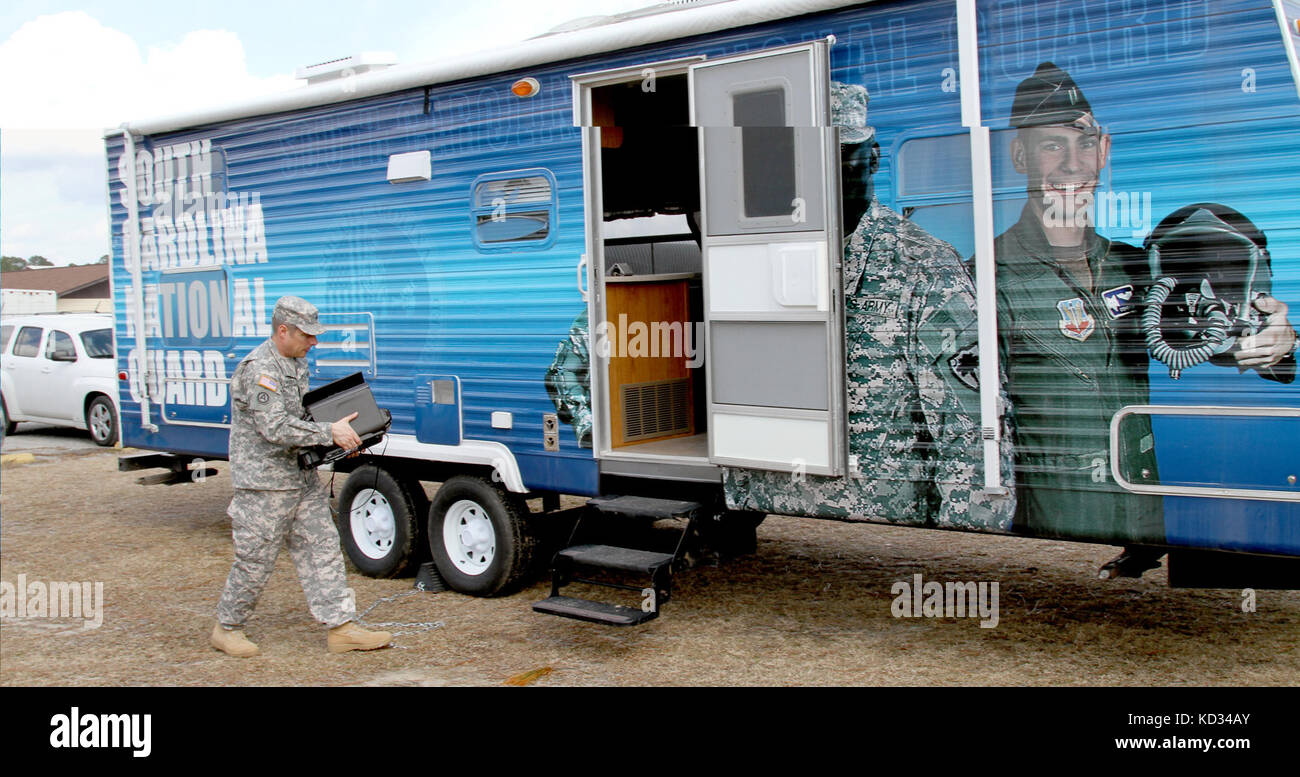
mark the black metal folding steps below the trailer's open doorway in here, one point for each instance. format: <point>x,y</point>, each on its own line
<point>652,571</point>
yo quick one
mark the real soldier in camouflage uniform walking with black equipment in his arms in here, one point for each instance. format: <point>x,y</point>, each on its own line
<point>275,498</point>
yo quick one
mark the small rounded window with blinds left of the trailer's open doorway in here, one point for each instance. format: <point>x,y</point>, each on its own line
<point>513,210</point>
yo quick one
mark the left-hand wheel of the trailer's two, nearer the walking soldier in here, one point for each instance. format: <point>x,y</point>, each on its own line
<point>379,522</point>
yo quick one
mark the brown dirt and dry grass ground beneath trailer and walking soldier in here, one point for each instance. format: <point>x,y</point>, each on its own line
<point>812,607</point>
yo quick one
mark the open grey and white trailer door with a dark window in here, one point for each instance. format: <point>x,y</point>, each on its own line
<point>772,245</point>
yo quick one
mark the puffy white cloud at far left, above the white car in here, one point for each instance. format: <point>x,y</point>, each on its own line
<point>68,79</point>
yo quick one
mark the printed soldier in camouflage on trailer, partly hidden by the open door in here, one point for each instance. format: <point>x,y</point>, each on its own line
<point>912,371</point>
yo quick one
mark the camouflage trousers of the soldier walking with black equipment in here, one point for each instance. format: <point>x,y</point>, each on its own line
<point>262,523</point>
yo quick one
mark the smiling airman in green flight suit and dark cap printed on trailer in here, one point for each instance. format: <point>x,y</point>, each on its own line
<point>1069,306</point>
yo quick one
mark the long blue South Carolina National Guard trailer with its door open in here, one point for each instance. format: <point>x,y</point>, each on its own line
<point>878,319</point>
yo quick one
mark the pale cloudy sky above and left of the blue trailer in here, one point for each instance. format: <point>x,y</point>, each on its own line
<point>73,70</point>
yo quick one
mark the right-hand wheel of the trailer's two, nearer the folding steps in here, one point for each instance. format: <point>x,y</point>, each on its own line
<point>482,541</point>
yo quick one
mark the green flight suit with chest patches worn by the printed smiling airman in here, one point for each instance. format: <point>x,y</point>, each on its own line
<point>1074,358</point>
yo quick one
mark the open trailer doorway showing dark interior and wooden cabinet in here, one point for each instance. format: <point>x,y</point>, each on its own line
<point>649,353</point>
